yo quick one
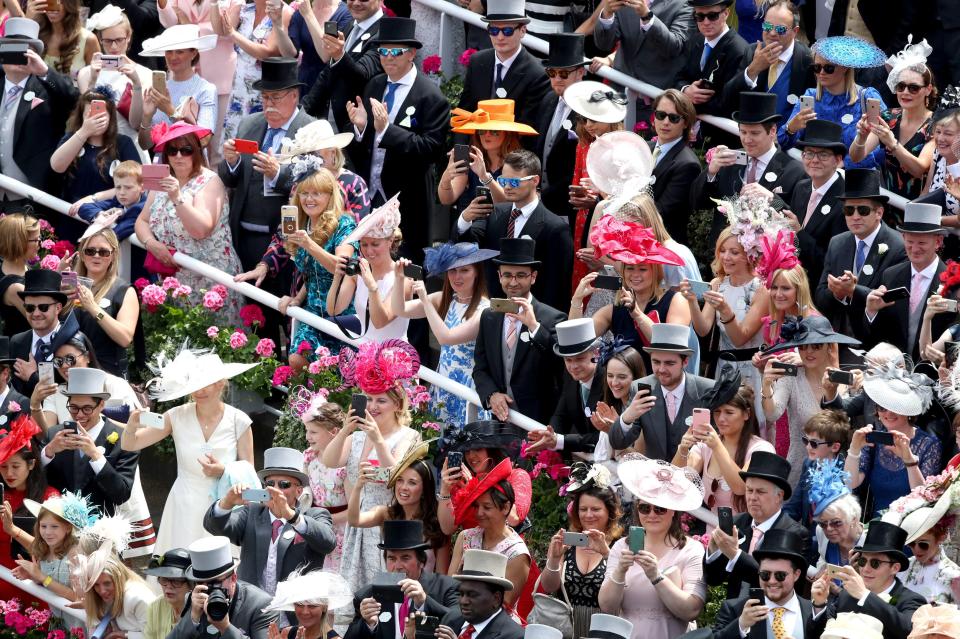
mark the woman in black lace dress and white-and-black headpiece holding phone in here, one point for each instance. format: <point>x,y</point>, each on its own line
<point>579,570</point>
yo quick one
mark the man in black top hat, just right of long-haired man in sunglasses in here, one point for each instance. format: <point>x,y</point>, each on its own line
<point>765,164</point>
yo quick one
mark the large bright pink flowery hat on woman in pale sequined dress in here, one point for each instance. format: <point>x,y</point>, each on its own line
<point>378,367</point>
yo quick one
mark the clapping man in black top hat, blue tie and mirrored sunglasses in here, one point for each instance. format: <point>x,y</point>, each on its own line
<point>400,128</point>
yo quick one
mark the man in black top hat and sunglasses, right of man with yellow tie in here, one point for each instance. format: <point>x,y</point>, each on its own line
<point>869,585</point>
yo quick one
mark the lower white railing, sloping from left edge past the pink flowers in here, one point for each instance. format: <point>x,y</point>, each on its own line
<point>268,299</point>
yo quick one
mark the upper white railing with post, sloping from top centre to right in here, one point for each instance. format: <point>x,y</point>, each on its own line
<point>633,84</point>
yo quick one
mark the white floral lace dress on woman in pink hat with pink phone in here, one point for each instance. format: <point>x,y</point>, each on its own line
<point>216,250</point>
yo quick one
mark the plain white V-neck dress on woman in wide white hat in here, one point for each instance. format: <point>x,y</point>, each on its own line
<point>189,498</point>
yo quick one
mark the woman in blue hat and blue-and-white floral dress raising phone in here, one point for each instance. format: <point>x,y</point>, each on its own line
<point>453,314</point>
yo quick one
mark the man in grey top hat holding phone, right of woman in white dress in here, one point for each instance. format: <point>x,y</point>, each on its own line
<point>275,536</point>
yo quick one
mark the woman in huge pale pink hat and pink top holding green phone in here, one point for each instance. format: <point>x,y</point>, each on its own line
<point>658,587</point>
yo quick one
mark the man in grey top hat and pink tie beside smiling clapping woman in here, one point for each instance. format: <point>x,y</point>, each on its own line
<point>661,414</point>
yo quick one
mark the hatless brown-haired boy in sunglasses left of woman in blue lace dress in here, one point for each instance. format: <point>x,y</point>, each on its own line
<point>826,436</point>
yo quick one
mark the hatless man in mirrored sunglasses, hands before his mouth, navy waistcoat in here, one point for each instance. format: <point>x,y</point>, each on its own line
<point>779,64</point>
